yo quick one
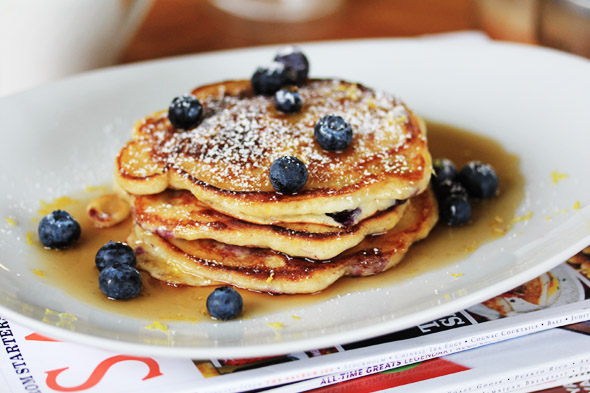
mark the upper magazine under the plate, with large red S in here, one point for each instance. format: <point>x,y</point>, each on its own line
<point>31,362</point>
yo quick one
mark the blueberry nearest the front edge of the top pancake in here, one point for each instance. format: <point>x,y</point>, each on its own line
<point>288,174</point>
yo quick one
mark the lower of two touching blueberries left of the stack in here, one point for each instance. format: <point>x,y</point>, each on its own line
<point>120,282</point>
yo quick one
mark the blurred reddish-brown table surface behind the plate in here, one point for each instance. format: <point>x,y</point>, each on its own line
<point>177,27</point>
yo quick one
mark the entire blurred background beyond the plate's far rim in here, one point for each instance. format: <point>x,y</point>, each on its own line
<point>41,40</point>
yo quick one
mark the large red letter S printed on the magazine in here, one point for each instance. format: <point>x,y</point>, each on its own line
<point>99,372</point>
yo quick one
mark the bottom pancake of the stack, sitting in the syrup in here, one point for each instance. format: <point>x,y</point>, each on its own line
<point>208,262</point>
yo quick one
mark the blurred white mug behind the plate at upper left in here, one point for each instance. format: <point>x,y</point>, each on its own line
<point>43,40</point>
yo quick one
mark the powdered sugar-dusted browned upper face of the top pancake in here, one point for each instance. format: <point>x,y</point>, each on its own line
<point>239,137</point>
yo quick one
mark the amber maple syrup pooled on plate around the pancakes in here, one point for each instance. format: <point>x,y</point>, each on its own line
<point>74,271</point>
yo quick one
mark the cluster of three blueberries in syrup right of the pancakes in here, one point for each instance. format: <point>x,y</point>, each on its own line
<point>455,188</point>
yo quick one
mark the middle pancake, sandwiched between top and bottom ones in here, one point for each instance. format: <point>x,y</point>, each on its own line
<point>178,214</point>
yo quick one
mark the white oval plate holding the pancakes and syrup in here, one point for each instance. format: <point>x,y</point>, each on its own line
<point>58,138</point>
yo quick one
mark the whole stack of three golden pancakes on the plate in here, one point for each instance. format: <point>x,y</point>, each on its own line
<point>206,213</point>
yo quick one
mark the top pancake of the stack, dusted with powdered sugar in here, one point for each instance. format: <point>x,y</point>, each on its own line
<point>224,161</point>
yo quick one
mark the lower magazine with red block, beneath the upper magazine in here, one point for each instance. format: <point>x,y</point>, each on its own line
<point>538,361</point>
